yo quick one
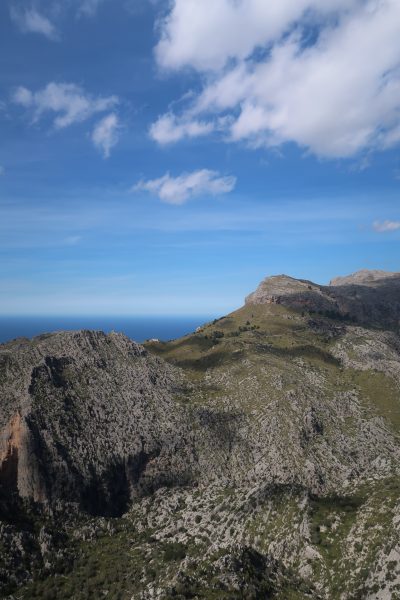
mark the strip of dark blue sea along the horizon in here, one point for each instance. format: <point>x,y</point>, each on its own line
<point>137,328</point>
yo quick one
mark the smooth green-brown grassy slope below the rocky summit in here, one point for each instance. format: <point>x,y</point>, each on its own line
<point>277,336</point>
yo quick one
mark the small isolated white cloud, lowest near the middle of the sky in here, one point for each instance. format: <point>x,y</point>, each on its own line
<point>177,190</point>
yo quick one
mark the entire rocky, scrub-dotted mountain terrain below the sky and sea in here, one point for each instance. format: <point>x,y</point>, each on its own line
<point>258,457</point>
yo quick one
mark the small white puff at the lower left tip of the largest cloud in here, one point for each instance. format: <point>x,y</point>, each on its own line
<point>168,129</point>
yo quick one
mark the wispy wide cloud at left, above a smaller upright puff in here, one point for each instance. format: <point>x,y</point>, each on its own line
<point>67,101</point>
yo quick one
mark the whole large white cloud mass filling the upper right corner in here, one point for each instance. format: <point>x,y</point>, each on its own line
<point>335,93</point>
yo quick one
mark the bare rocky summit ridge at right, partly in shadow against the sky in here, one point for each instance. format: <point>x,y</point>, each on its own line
<point>366,297</point>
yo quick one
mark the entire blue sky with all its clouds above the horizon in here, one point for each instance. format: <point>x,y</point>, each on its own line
<point>161,157</point>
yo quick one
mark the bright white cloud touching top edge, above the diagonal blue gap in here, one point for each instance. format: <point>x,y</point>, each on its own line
<point>205,34</point>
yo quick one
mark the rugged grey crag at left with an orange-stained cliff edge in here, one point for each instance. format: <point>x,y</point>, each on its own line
<point>89,419</point>
